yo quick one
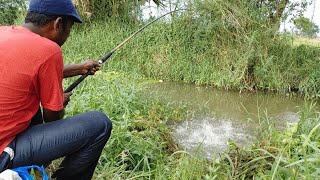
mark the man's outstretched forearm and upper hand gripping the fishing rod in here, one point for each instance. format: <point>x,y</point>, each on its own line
<point>81,69</point>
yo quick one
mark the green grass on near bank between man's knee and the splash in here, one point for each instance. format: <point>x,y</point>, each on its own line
<point>140,141</point>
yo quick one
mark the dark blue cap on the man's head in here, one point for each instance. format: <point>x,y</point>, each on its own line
<point>55,8</point>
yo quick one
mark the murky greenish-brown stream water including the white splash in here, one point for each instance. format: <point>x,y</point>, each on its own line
<point>218,116</point>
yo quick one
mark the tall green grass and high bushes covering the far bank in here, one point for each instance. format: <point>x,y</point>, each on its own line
<point>226,44</point>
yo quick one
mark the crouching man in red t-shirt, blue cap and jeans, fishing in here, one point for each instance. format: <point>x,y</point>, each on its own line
<point>32,70</point>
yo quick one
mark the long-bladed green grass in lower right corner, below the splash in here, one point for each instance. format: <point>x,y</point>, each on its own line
<point>290,154</point>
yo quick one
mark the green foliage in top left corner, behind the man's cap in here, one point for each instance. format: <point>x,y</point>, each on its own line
<point>9,11</point>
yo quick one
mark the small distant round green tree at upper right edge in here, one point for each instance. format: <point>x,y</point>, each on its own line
<point>306,28</point>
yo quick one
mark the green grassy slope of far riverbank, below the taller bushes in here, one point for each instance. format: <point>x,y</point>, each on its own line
<point>167,52</point>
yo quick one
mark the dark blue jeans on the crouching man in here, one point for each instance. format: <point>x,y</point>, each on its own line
<point>79,138</point>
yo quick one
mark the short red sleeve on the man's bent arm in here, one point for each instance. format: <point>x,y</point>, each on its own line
<point>50,78</point>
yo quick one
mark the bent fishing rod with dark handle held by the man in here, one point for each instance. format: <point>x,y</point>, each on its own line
<point>109,54</point>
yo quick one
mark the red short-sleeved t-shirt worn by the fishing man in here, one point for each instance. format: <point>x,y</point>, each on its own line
<point>31,70</point>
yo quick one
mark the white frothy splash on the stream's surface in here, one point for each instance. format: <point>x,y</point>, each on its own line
<point>209,135</point>
